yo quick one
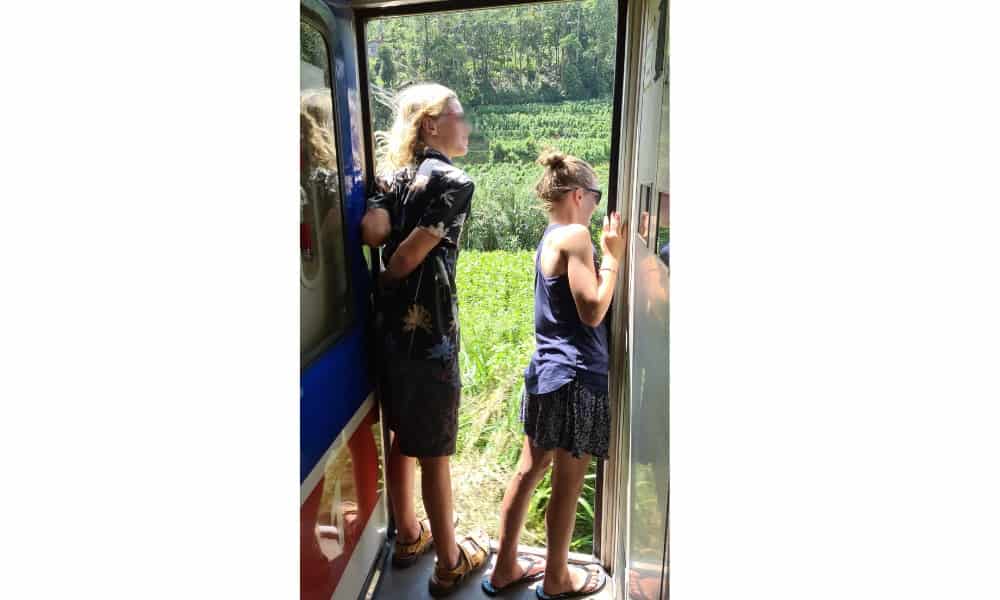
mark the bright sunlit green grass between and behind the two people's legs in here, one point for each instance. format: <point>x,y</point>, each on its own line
<point>496,305</point>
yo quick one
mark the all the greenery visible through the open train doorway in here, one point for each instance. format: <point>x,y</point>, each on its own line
<point>528,76</point>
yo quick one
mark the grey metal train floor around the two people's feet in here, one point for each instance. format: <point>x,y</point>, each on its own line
<point>411,584</point>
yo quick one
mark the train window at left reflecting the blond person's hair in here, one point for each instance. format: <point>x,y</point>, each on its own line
<point>324,301</point>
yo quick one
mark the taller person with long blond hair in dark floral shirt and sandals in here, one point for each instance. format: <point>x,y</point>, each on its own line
<point>419,216</point>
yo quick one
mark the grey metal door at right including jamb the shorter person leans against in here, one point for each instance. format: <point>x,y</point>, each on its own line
<point>640,533</point>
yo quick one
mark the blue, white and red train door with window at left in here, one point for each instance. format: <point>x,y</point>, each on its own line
<point>343,515</point>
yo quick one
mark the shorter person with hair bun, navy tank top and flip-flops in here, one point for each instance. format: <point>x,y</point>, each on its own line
<point>564,408</point>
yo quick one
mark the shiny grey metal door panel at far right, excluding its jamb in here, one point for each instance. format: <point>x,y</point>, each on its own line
<point>648,456</point>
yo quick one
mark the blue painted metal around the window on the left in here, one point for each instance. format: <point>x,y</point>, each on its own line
<point>335,385</point>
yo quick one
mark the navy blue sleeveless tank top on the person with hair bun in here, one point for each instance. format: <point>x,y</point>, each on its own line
<point>565,348</point>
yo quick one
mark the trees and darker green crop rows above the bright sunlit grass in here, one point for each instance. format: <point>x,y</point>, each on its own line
<point>529,77</point>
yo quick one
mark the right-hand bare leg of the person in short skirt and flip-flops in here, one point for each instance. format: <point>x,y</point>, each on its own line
<point>567,481</point>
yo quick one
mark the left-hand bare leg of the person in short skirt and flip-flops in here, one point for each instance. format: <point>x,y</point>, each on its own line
<point>533,464</point>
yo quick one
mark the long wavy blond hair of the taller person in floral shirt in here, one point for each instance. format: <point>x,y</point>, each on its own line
<point>399,147</point>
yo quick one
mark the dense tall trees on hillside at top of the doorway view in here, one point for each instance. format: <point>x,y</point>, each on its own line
<point>536,53</point>
